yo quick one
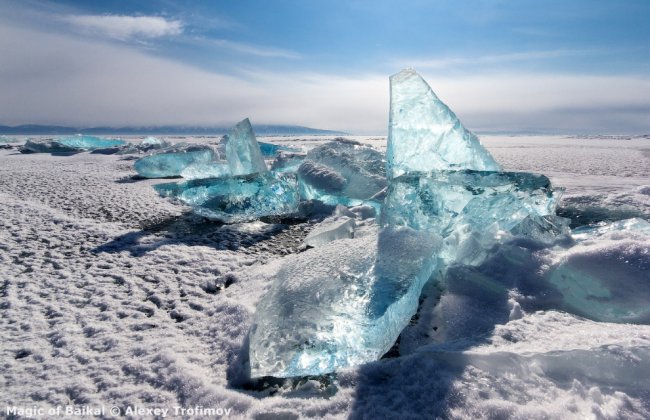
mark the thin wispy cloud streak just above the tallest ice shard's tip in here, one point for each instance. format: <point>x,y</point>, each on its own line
<point>449,62</point>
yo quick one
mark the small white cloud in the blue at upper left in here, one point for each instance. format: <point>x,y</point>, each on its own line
<point>125,28</point>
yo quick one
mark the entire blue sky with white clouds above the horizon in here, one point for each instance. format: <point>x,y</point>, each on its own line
<point>550,66</point>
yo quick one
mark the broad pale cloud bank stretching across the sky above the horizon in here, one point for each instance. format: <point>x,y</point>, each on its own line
<point>52,78</point>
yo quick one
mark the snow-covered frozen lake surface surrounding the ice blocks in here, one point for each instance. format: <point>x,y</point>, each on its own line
<point>111,295</point>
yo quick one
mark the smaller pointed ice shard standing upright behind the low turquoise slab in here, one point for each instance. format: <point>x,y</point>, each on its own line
<point>243,152</point>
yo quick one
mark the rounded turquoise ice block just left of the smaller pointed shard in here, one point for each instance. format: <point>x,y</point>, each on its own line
<point>170,162</point>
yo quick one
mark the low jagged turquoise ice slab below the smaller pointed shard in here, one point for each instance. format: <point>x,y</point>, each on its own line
<point>237,199</point>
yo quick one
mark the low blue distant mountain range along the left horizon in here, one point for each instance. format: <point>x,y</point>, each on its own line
<point>260,130</point>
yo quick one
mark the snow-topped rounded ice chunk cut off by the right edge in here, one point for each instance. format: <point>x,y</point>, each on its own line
<point>606,275</point>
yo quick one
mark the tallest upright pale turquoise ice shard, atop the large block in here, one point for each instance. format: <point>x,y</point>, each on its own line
<point>425,135</point>
